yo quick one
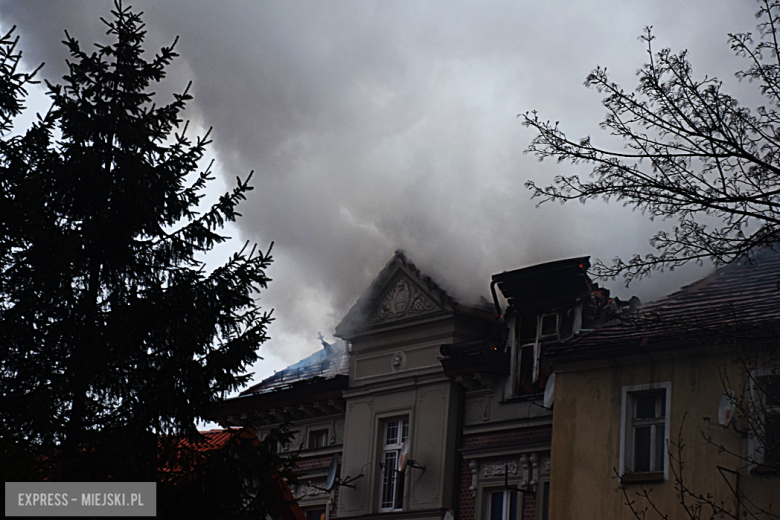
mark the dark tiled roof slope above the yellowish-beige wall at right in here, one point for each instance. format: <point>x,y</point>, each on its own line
<point>740,301</point>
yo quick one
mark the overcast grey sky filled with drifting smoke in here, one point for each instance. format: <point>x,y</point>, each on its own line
<point>381,125</point>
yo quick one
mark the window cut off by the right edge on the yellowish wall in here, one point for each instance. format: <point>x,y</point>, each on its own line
<point>764,438</point>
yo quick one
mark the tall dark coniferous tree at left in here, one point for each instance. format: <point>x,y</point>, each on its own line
<point>112,333</point>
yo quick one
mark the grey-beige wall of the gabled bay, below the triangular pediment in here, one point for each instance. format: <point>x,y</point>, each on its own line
<point>395,372</point>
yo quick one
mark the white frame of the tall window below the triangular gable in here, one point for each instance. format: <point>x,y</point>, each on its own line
<point>389,476</point>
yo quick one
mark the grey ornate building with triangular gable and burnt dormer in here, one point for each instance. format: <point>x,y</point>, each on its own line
<point>424,383</point>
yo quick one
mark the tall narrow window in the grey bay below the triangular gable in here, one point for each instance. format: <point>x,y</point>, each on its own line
<point>395,435</point>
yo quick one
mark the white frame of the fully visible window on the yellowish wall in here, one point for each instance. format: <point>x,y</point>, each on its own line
<point>627,427</point>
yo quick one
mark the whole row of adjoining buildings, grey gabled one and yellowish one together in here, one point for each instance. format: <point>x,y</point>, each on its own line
<point>552,401</point>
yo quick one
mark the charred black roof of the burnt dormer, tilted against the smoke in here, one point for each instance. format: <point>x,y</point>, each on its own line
<point>545,285</point>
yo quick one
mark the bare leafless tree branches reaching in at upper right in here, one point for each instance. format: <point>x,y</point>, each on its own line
<point>691,150</point>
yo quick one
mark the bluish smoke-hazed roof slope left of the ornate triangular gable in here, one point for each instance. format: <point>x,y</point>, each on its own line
<point>331,361</point>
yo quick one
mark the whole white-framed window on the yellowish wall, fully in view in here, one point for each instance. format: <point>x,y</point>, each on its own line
<point>644,432</point>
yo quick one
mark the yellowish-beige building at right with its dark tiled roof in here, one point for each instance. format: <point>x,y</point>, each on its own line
<point>675,408</point>
